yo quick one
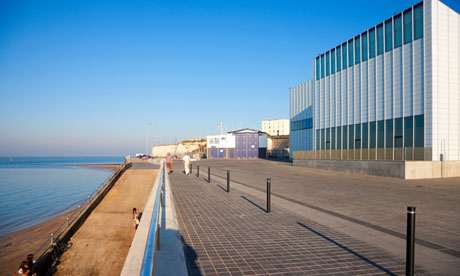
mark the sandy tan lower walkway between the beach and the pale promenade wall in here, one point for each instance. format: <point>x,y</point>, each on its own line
<point>102,243</point>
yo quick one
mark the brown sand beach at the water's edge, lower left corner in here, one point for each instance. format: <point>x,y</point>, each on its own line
<point>15,246</point>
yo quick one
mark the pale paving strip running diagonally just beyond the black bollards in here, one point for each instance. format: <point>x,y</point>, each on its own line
<point>444,264</point>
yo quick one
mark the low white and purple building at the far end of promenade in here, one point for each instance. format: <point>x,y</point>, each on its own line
<point>239,144</point>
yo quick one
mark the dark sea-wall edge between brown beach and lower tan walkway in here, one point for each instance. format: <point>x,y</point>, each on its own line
<point>57,243</point>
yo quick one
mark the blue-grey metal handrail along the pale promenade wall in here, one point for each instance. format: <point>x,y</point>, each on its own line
<point>153,238</point>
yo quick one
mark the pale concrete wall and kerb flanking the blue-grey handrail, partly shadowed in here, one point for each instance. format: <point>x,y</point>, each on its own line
<point>170,258</point>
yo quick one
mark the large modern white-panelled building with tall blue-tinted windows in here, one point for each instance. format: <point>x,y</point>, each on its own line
<point>386,100</point>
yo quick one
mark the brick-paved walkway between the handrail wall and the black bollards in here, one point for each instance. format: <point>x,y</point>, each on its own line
<point>230,234</point>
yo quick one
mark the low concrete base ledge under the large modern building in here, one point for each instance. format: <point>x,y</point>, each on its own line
<point>397,169</point>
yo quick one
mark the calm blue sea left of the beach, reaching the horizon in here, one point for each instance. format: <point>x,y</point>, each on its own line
<point>35,189</point>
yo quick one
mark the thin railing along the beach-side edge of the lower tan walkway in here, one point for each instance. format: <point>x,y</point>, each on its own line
<point>48,243</point>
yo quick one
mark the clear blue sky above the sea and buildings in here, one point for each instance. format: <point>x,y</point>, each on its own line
<point>84,77</point>
